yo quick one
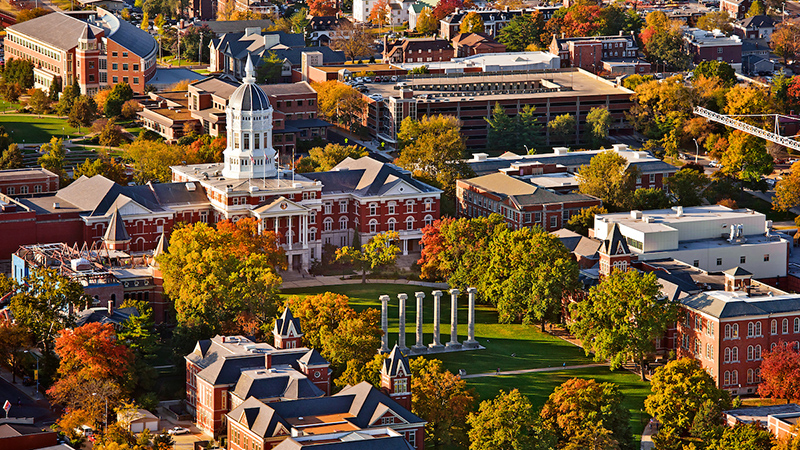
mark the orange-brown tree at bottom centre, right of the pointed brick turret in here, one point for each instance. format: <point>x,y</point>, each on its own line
<point>442,400</point>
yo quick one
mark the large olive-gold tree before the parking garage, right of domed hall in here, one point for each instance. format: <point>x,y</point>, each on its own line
<point>433,149</point>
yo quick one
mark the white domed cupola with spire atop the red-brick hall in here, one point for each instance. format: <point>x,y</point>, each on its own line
<point>249,152</point>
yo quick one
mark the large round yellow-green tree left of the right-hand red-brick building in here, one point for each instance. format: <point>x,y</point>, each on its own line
<point>621,318</point>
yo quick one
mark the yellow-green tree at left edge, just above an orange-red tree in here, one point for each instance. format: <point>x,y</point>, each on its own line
<point>40,307</point>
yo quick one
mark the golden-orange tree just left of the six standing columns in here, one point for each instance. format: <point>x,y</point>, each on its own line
<point>337,331</point>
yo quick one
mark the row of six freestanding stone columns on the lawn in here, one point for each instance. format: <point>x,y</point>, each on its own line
<point>436,345</point>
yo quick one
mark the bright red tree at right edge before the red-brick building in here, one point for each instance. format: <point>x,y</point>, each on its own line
<point>780,372</point>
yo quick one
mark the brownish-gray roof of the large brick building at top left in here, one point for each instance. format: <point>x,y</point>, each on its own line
<point>56,29</point>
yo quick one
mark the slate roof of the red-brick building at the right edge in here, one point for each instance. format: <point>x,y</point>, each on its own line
<point>724,305</point>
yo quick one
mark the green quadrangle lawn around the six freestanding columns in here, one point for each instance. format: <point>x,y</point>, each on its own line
<point>531,348</point>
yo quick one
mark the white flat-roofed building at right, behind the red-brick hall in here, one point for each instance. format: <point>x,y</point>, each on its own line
<point>711,238</point>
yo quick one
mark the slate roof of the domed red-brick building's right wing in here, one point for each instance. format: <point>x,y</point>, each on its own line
<point>365,177</point>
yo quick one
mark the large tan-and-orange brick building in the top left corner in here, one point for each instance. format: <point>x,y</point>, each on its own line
<point>95,49</point>
